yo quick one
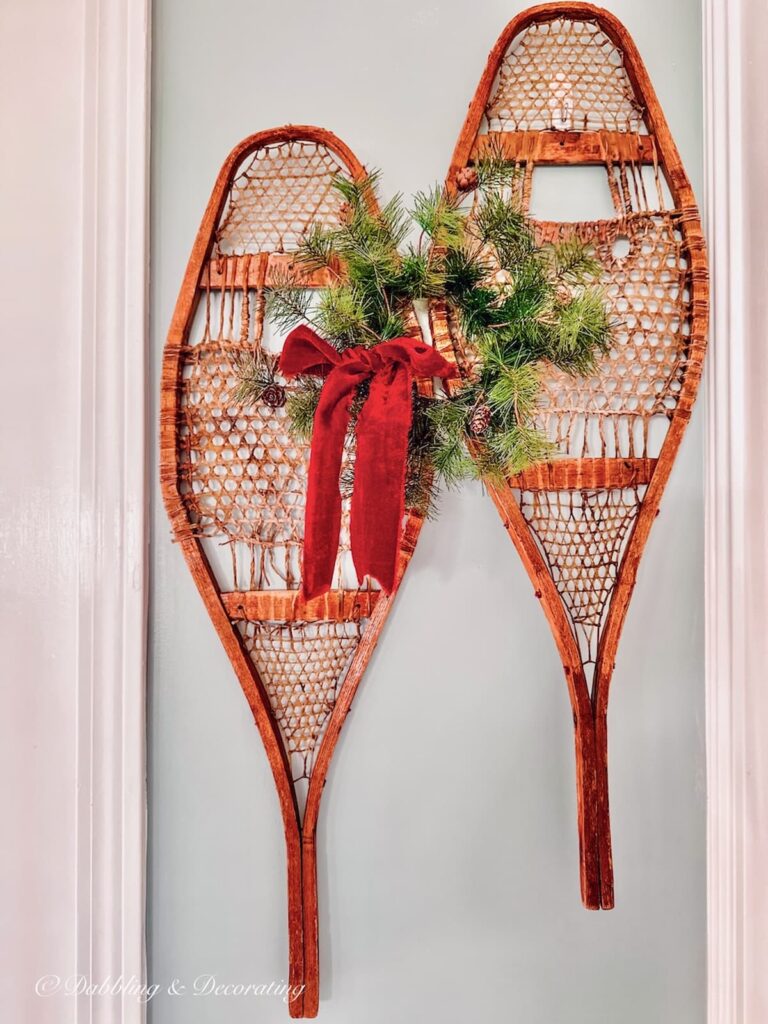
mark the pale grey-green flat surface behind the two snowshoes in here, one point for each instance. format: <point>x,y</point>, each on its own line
<point>448,859</point>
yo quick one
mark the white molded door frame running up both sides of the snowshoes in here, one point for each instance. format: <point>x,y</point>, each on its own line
<point>114,493</point>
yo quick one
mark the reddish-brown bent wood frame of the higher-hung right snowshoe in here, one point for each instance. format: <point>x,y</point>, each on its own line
<point>590,712</point>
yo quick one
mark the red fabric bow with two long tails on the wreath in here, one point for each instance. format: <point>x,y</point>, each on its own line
<point>382,430</point>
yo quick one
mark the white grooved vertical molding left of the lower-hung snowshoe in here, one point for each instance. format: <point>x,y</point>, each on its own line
<point>113,494</point>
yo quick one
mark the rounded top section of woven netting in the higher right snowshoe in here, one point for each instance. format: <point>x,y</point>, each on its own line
<point>564,75</point>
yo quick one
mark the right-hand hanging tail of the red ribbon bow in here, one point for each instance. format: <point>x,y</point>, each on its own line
<point>378,499</point>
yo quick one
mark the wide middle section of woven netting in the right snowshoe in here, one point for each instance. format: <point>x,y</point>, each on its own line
<point>614,413</point>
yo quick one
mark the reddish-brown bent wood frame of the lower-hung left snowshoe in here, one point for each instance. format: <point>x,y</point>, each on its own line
<point>301,837</point>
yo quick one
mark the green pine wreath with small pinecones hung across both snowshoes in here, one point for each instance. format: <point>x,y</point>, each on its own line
<point>520,306</point>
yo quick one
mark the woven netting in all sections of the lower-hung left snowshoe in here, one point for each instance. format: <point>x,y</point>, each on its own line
<point>242,474</point>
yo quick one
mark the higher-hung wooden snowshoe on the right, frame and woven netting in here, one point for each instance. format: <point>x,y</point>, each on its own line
<point>566,86</point>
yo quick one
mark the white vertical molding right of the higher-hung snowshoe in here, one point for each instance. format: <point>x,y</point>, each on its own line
<point>737,608</point>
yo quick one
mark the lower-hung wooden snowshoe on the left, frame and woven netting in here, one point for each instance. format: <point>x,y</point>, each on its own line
<point>234,480</point>
